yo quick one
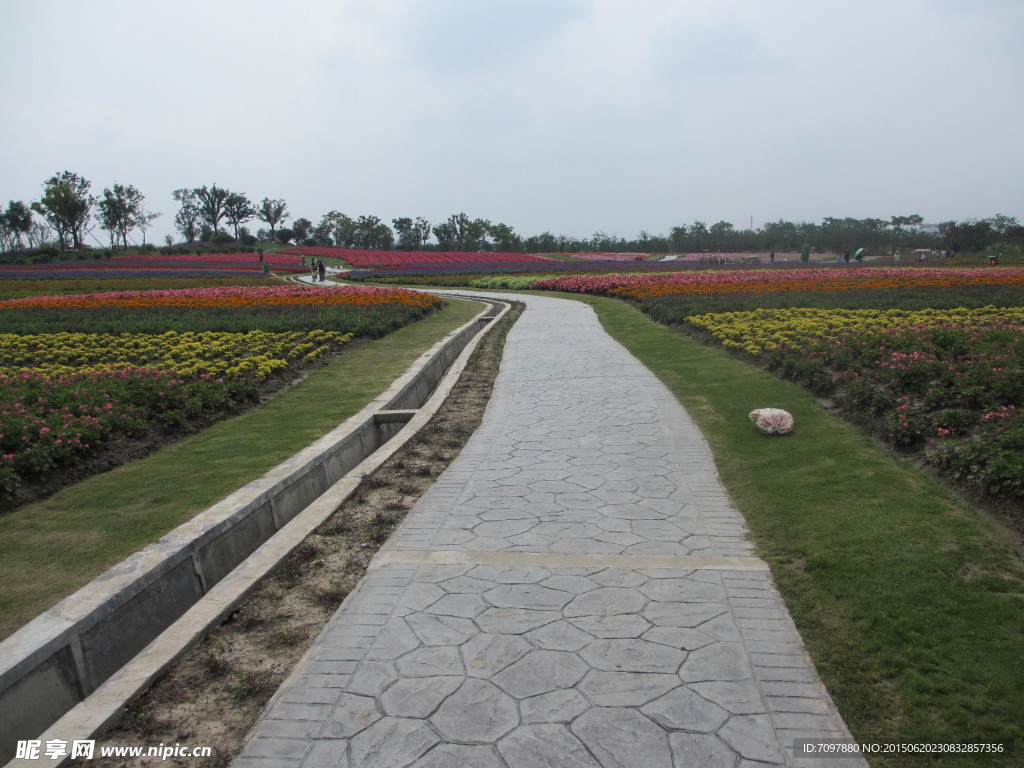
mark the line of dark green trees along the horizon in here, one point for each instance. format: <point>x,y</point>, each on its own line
<point>216,215</point>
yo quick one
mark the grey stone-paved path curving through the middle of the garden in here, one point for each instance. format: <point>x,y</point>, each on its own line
<point>576,590</point>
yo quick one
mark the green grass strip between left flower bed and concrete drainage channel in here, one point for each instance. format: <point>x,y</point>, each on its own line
<point>52,548</point>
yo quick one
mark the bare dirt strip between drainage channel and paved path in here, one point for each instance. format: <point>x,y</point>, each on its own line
<point>212,698</point>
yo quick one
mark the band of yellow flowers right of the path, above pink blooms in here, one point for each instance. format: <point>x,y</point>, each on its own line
<point>761,330</point>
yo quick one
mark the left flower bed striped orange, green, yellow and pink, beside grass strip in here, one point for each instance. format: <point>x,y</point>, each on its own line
<point>76,372</point>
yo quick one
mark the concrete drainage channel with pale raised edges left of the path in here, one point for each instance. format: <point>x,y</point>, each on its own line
<point>68,674</point>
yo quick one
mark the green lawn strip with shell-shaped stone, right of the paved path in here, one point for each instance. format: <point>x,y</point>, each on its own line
<point>910,602</point>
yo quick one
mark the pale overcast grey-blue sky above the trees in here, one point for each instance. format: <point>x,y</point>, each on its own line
<point>568,116</point>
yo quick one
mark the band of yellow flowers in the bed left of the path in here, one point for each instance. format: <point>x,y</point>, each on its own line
<point>254,354</point>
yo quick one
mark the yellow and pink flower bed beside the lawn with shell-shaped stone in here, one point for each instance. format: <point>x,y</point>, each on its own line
<point>949,382</point>
